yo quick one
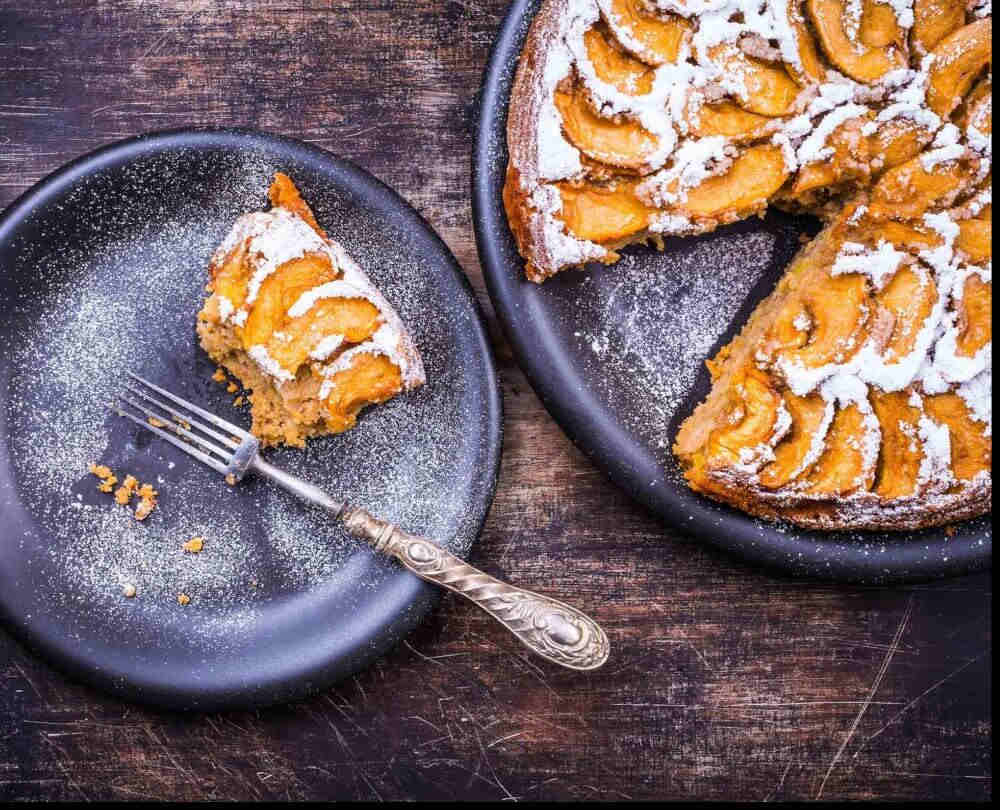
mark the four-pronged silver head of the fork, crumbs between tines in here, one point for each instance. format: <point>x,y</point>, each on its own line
<point>178,422</point>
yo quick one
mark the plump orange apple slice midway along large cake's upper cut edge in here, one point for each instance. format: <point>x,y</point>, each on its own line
<point>751,180</point>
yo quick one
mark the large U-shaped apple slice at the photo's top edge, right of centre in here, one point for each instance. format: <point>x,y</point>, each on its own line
<point>861,62</point>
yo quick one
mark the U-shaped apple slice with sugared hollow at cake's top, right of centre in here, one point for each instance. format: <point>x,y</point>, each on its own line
<point>840,36</point>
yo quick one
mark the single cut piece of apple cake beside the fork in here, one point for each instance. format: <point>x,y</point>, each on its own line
<point>294,318</point>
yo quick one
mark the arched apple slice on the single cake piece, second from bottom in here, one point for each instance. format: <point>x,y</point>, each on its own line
<point>353,319</point>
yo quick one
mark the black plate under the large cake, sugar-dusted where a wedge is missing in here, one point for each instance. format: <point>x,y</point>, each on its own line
<point>616,354</point>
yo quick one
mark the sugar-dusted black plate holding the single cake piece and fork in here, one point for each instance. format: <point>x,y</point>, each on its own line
<point>102,269</point>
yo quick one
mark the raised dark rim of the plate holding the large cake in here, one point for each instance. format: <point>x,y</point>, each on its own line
<point>819,555</point>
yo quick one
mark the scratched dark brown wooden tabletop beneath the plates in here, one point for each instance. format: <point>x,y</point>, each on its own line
<point>726,682</point>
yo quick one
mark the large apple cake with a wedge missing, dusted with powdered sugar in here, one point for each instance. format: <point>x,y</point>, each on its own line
<point>858,394</point>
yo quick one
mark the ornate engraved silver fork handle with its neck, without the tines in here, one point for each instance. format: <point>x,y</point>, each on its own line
<point>551,628</point>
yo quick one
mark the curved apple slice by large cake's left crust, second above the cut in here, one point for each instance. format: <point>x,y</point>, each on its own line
<point>627,144</point>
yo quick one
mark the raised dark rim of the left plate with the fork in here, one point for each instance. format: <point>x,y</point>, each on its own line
<point>416,598</point>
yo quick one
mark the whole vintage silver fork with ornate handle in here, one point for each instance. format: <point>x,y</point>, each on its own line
<point>551,628</point>
